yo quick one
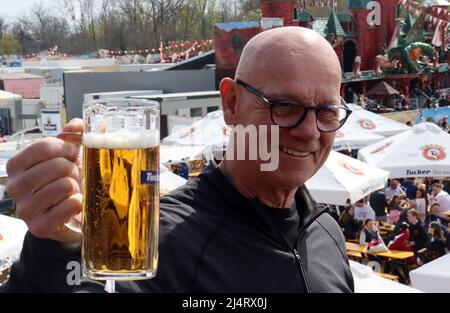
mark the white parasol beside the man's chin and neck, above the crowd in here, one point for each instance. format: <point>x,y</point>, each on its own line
<point>343,178</point>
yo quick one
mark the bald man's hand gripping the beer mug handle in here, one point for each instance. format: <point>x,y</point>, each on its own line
<point>45,182</point>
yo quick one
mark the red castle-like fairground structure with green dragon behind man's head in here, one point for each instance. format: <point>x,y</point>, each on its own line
<point>390,50</point>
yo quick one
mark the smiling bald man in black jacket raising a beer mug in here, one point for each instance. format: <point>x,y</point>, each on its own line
<point>236,228</point>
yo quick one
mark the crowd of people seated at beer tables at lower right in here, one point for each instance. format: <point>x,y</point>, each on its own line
<point>416,209</point>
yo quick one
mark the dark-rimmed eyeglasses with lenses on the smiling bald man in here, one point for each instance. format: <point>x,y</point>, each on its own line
<point>289,114</point>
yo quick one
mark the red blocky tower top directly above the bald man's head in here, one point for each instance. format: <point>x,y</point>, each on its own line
<point>286,9</point>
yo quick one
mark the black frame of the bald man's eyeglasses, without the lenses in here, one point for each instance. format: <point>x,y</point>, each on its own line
<point>273,102</point>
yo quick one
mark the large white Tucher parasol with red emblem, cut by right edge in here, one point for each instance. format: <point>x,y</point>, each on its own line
<point>420,152</point>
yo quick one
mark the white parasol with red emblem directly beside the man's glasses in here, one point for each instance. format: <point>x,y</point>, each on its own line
<point>361,119</point>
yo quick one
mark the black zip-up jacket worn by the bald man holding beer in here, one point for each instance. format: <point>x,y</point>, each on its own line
<point>213,239</point>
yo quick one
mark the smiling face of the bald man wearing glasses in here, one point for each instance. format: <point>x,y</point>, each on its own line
<point>302,149</point>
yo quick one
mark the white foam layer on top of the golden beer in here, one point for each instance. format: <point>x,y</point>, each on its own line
<point>122,139</point>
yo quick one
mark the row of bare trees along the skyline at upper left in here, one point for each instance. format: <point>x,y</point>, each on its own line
<point>80,26</point>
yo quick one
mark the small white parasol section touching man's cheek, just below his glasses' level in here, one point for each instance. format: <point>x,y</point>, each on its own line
<point>353,138</point>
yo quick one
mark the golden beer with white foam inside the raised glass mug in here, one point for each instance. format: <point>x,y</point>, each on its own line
<point>120,215</point>
